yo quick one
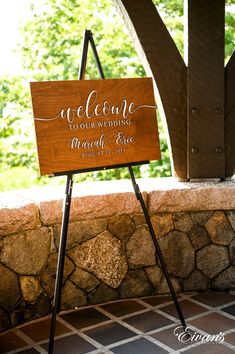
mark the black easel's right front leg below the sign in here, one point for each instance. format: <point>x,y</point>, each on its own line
<point>157,247</point>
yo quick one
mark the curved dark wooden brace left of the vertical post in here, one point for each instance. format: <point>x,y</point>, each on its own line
<point>161,60</point>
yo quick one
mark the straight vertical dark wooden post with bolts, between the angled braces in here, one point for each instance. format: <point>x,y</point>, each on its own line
<point>206,148</point>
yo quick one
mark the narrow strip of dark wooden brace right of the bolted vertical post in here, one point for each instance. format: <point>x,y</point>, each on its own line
<point>230,116</point>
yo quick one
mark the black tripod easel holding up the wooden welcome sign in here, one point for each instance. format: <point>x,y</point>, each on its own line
<point>66,210</point>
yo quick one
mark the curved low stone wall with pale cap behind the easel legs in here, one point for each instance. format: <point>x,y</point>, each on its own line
<point>110,253</point>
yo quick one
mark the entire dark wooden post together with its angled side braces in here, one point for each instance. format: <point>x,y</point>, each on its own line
<point>197,101</point>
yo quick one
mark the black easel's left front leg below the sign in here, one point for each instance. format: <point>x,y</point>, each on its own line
<point>60,262</point>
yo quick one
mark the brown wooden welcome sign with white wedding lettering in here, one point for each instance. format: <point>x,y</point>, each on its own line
<point>87,124</point>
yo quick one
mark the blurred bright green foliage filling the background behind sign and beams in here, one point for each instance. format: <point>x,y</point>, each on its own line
<point>51,44</point>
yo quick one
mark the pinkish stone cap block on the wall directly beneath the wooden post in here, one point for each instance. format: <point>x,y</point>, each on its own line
<point>169,195</point>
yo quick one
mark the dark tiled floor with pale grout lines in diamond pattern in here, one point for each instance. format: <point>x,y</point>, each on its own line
<point>137,326</point>
